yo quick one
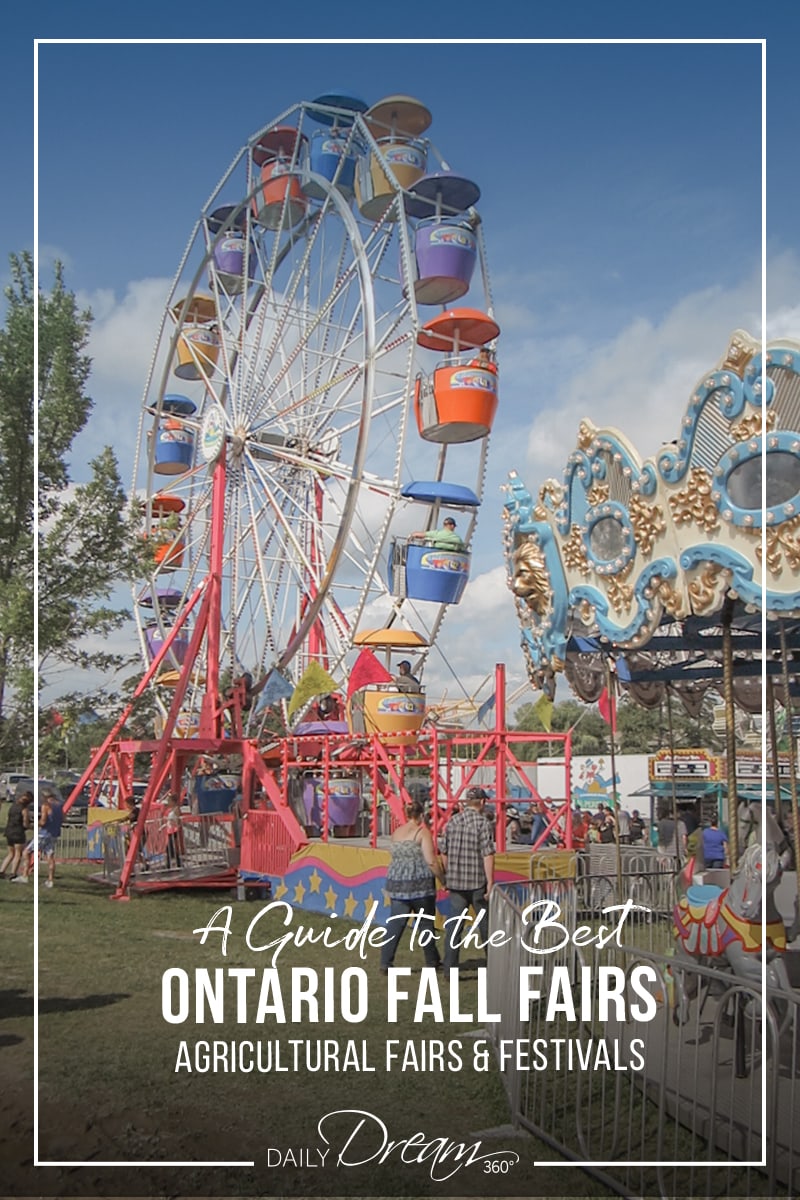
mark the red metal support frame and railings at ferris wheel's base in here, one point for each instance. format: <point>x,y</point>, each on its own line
<point>452,760</point>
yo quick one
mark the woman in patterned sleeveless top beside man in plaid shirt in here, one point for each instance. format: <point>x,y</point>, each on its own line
<point>412,881</point>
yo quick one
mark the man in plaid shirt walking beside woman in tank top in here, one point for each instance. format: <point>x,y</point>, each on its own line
<point>468,855</point>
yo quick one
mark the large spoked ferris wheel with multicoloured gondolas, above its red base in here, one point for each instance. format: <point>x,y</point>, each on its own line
<point>278,446</point>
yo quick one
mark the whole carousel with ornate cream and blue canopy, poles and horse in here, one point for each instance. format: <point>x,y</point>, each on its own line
<point>669,578</point>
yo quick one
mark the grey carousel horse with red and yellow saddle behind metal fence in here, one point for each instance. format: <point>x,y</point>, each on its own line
<point>724,927</point>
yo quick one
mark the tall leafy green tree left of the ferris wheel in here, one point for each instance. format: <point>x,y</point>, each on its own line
<point>88,535</point>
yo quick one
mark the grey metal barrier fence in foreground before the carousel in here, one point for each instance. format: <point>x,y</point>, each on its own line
<point>652,1105</point>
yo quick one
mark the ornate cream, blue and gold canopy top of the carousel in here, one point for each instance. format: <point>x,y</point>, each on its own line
<point>649,560</point>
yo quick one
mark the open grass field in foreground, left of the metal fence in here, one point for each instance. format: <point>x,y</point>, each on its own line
<point>110,1089</point>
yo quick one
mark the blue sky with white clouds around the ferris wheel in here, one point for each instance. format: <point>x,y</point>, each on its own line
<point>622,201</point>
